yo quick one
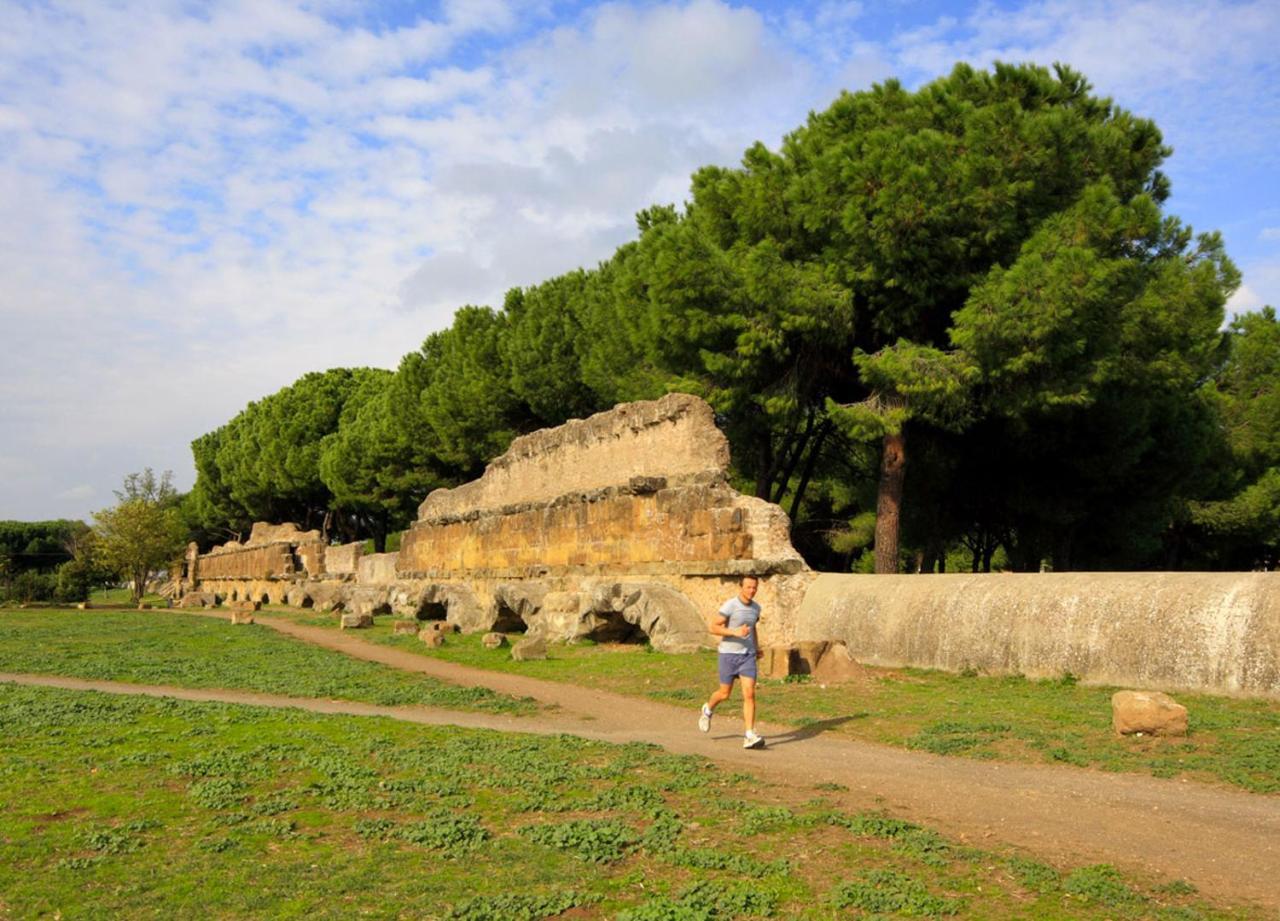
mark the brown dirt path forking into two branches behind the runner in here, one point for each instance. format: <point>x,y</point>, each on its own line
<point>1226,842</point>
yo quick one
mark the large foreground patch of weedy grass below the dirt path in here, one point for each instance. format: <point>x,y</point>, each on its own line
<point>136,808</point>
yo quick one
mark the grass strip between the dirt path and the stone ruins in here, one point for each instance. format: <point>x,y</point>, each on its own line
<point>1232,741</point>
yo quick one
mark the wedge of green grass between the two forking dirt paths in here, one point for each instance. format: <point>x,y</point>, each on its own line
<point>170,648</point>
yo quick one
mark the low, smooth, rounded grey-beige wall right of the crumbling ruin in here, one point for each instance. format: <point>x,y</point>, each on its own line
<point>1214,633</point>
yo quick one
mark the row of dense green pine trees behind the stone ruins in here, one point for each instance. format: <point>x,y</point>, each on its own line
<point>950,328</point>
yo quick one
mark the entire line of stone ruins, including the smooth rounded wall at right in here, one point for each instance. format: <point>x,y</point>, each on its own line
<point>624,528</point>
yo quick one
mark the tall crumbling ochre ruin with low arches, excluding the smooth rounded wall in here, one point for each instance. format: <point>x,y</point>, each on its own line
<point>618,528</point>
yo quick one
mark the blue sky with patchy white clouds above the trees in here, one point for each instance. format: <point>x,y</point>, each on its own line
<point>200,203</point>
